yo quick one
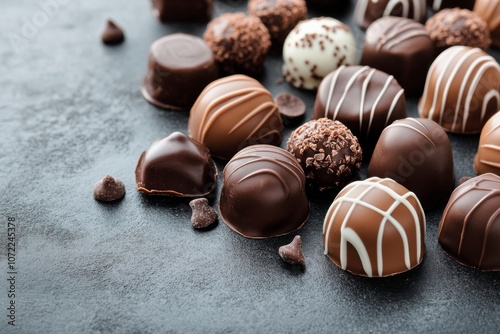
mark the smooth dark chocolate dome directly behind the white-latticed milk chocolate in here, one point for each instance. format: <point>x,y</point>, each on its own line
<point>417,154</point>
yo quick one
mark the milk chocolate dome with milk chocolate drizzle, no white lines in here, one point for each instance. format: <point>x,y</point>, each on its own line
<point>234,112</point>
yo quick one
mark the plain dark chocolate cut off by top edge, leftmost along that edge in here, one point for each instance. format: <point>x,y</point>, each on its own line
<point>185,10</point>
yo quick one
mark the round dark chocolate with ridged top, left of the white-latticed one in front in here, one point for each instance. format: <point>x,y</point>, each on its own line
<point>263,194</point>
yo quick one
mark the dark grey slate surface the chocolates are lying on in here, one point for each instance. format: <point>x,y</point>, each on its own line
<point>71,112</point>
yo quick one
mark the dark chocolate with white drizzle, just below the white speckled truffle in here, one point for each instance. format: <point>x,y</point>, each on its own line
<point>366,100</point>
